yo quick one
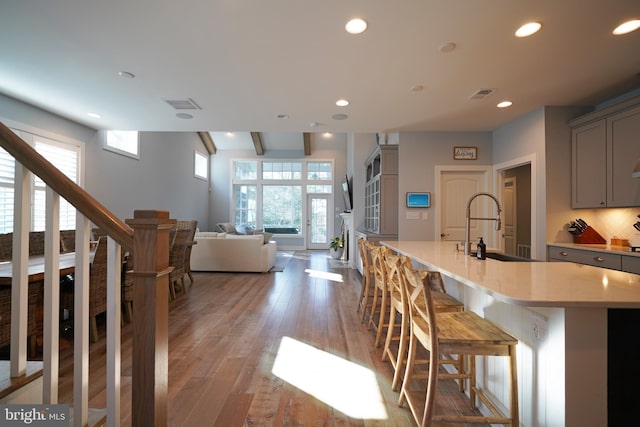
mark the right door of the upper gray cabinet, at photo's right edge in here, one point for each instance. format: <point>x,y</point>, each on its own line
<point>623,150</point>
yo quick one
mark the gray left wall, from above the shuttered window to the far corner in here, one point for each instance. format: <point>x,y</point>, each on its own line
<point>161,179</point>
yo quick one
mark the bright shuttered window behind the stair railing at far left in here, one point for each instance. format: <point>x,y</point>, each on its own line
<point>64,156</point>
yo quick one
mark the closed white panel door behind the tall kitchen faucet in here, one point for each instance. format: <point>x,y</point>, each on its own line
<point>456,187</point>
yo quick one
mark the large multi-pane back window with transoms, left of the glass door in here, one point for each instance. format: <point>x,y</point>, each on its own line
<point>270,194</point>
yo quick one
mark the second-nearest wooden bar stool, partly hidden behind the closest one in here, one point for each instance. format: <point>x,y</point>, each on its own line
<point>399,302</point>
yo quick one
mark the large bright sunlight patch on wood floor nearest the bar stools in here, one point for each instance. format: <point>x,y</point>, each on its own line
<point>343,385</point>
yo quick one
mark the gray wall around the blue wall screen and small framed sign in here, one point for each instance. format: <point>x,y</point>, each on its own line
<point>419,153</point>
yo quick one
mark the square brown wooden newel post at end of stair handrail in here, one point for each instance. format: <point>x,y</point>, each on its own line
<point>150,319</point>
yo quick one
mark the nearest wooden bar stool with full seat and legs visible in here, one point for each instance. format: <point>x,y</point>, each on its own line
<point>453,333</point>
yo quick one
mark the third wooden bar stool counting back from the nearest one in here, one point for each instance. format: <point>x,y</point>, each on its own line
<point>380,303</point>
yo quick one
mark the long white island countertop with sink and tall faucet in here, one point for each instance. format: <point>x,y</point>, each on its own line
<point>533,284</point>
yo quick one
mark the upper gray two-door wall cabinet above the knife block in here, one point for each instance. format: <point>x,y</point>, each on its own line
<point>605,148</point>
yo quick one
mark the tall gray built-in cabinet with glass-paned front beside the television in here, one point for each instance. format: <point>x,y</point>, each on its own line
<point>381,191</point>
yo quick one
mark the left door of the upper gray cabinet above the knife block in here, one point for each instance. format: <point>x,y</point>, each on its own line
<point>589,153</point>
